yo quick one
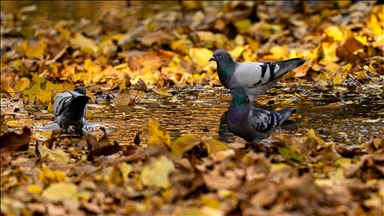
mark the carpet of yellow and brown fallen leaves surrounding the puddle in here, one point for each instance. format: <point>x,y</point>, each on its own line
<point>133,55</point>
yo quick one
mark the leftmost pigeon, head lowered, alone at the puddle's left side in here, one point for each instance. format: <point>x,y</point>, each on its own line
<point>70,109</point>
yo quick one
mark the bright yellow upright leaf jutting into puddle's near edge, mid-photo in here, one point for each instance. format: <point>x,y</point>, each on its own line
<point>156,134</point>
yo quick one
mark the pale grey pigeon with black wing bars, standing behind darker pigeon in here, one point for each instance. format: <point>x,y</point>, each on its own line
<point>255,77</point>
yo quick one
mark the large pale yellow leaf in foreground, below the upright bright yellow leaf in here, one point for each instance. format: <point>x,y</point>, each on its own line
<point>156,173</point>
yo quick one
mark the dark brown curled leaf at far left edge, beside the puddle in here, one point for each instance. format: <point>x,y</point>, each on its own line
<point>16,141</point>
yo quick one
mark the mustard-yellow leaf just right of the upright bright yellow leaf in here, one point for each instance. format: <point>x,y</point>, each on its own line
<point>184,144</point>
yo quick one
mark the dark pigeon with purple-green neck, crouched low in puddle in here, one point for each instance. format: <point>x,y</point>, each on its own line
<point>252,123</point>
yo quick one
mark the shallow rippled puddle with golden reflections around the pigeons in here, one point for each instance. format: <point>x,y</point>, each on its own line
<point>201,111</point>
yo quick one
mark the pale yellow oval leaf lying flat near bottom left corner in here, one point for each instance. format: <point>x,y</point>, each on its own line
<point>60,191</point>
